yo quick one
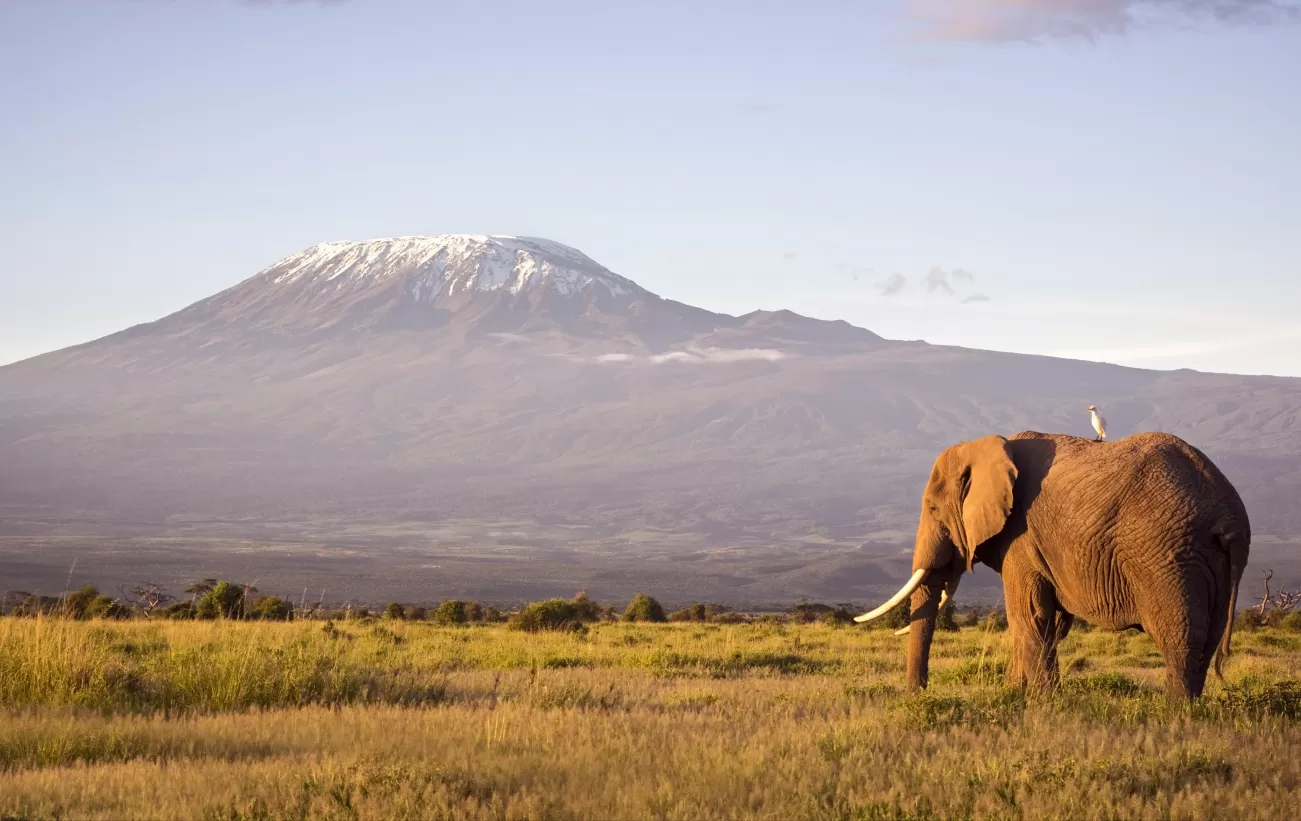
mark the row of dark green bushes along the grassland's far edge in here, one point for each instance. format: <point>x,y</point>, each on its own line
<point>214,599</point>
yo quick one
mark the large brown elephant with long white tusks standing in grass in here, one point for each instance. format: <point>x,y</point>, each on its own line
<point>1144,532</point>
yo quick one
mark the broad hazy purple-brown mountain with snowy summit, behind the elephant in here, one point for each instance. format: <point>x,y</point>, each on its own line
<point>414,388</point>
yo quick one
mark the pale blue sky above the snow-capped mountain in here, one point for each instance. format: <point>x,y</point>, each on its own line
<point>1135,197</point>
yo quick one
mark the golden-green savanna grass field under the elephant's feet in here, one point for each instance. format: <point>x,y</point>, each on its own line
<point>397,720</point>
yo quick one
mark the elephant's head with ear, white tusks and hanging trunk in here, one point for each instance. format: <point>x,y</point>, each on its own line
<point>967,503</point>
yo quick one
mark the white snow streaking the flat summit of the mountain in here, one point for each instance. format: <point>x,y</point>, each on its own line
<point>448,265</point>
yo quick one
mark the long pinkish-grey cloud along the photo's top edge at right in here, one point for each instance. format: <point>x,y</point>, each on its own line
<point>1034,20</point>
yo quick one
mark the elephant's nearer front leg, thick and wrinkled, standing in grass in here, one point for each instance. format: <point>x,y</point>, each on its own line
<point>1032,619</point>
